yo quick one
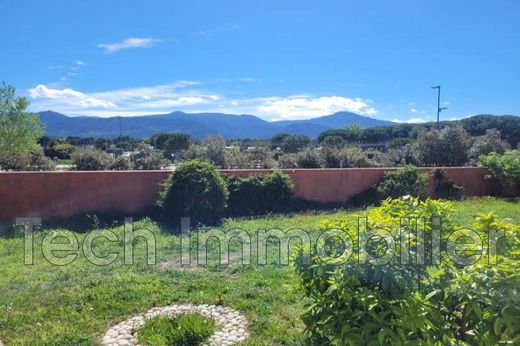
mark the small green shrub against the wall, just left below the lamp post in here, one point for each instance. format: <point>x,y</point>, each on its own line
<point>401,182</point>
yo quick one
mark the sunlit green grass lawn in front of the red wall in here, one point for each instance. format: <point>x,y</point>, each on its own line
<point>44,304</point>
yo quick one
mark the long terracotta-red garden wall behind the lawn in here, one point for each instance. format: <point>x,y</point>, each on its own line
<point>43,194</point>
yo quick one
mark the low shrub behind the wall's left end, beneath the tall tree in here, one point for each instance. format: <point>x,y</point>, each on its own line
<point>25,161</point>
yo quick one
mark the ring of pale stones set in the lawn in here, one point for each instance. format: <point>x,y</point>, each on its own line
<point>230,325</point>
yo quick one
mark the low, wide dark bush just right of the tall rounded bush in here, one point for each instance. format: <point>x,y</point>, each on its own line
<point>260,194</point>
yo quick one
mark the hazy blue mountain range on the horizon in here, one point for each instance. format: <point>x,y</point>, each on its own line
<point>198,125</point>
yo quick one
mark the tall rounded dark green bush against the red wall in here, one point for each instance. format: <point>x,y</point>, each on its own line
<point>196,190</point>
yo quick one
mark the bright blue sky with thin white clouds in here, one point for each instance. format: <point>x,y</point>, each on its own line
<point>273,58</point>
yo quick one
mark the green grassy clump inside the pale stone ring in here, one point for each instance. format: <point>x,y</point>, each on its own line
<point>184,330</point>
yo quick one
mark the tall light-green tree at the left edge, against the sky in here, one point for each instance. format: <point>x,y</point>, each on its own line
<point>19,129</point>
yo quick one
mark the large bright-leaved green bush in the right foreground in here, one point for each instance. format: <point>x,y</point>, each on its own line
<point>357,303</point>
